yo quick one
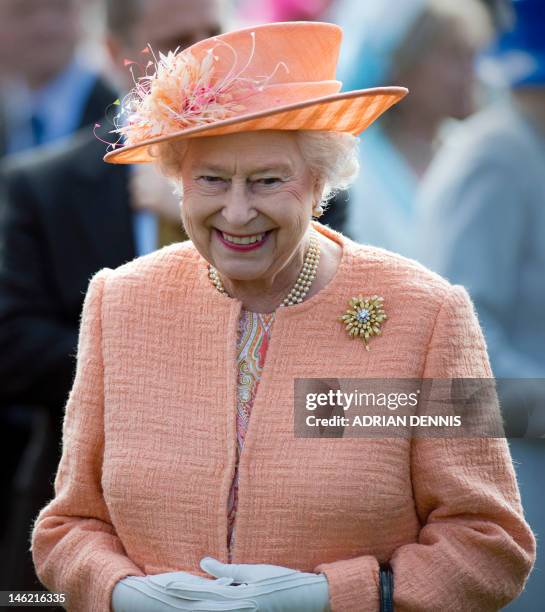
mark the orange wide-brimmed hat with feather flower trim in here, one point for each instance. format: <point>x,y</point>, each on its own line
<point>278,76</point>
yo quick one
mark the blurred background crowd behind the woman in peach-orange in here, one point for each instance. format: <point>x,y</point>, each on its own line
<point>454,177</point>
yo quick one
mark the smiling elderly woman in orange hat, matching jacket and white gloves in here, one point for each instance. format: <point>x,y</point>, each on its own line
<point>182,485</point>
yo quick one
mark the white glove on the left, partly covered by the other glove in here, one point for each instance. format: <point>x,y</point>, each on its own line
<point>152,594</point>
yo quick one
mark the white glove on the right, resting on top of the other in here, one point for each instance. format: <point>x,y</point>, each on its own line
<point>271,588</point>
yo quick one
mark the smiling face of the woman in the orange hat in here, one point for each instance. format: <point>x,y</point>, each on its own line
<point>247,204</point>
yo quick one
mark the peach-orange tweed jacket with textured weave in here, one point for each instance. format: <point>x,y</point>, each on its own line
<point>150,440</point>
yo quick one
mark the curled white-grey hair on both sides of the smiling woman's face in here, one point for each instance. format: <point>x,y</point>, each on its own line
<point>331,157</point>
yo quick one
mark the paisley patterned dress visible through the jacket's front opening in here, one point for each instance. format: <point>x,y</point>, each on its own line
<point>254,333</point>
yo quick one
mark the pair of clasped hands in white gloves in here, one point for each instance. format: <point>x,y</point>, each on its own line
<point>241,587</point>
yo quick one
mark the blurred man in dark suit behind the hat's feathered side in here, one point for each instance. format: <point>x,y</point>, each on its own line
<point>64,214</point>
